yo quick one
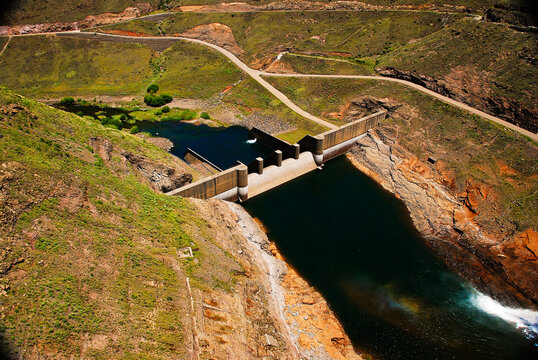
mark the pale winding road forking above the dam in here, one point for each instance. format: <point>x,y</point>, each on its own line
<point>257,75</point>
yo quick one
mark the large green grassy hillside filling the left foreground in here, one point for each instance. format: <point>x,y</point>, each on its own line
<point>88,265</point>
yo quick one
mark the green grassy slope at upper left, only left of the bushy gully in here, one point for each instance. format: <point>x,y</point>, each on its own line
<point>59,66</point>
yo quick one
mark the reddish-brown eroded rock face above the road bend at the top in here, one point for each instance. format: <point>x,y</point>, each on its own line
<point>215,33</point>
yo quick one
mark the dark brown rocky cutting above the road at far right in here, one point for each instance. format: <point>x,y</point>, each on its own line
<point>480,98</point>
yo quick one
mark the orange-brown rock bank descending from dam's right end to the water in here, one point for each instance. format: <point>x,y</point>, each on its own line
<point>505,268</point>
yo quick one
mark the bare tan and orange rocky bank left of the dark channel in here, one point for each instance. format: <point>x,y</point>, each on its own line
<point>302,326</point>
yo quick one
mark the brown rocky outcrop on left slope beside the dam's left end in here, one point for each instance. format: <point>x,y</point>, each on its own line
<point>159,176</point>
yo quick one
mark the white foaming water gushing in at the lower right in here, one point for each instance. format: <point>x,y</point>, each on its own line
<point>524,319</point>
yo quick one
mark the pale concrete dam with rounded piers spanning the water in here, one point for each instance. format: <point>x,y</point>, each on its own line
<point>285,163</point>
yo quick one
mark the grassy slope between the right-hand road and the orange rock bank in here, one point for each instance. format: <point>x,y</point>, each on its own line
<point>471,147</point>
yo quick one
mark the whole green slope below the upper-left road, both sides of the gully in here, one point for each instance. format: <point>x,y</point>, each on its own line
<point>66,66</point>
